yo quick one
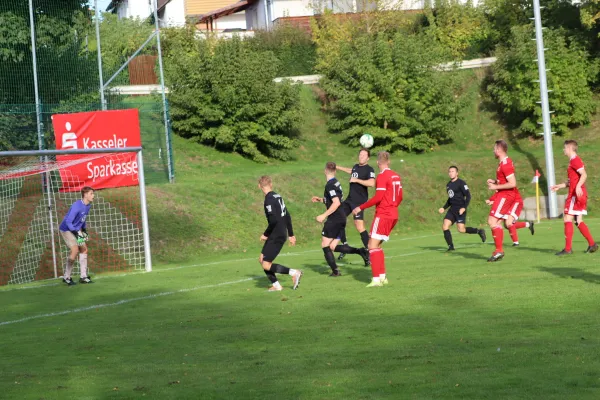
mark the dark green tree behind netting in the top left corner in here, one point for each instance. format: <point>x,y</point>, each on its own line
<point>60,29</point>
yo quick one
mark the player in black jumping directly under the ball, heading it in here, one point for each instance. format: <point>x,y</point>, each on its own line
<point>362,177</point>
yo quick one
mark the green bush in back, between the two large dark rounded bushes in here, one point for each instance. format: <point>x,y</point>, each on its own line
<point>292,46</point>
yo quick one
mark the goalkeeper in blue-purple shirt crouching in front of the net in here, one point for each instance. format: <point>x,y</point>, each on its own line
<point>74,232</point>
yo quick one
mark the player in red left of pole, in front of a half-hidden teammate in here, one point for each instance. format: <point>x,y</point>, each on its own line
<point>505,184</point>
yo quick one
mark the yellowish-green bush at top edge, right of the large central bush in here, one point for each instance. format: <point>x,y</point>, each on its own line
<point>460,27</point>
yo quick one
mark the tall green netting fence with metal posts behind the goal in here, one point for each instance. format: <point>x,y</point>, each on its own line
<point>50,63</point>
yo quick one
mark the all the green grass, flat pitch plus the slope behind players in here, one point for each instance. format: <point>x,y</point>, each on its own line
<point>203,326</point>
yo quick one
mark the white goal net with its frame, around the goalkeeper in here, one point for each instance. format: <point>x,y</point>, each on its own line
<point>36,192</point>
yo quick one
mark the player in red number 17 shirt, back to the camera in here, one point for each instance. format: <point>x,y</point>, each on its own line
<point>388,196</point>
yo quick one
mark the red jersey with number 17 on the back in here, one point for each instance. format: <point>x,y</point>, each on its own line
<point>388,195</point>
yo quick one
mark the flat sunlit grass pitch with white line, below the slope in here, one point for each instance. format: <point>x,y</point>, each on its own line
<point>449,326</point>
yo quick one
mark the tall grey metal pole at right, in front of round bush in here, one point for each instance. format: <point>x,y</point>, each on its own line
<point>550,178</point>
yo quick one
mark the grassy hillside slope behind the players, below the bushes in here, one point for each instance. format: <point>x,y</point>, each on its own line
<point>215,205</point>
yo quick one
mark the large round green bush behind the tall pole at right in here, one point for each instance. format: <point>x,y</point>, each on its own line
<point>571,71</point>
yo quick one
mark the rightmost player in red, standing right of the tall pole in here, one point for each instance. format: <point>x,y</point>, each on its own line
<point>576,203</point>
